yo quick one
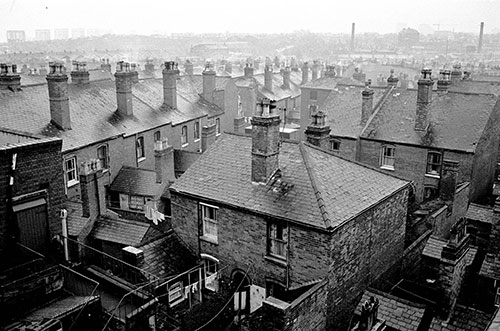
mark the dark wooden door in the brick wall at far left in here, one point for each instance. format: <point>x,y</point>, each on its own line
<point>33,227</point>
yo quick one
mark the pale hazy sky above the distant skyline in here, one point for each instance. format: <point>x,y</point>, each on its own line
<point>164,16</point>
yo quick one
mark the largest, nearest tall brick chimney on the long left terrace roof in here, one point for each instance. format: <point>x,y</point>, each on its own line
<point>57,82</point>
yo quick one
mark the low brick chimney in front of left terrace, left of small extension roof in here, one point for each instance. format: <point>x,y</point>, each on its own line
<point>92,188</point>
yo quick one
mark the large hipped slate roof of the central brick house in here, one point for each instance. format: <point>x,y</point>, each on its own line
<point>327,191</point>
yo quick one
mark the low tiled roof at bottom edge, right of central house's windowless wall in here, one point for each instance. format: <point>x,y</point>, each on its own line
<point>400,314</point>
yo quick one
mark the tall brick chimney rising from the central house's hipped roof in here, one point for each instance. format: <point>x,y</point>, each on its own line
<point>265,141</point>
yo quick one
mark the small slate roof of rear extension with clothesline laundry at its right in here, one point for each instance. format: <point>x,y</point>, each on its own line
<point>137,181</point>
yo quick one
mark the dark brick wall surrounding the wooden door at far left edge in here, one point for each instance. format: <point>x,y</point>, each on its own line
<point>38,166</point>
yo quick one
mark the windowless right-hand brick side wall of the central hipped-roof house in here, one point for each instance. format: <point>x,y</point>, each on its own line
<point>362,250</point>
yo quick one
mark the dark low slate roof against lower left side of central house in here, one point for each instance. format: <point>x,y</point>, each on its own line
<point>166,256</point>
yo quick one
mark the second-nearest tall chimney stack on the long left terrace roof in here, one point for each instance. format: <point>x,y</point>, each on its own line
<point>124,77</point>
